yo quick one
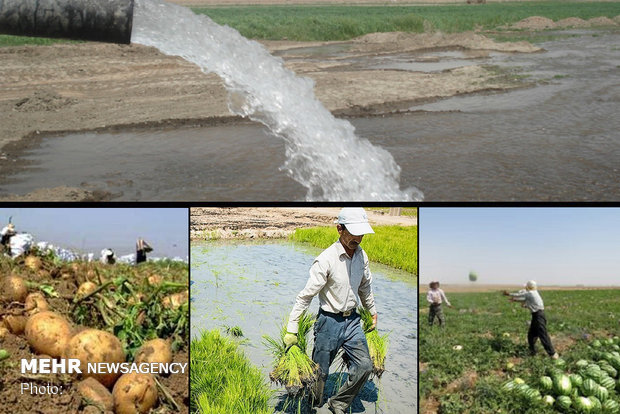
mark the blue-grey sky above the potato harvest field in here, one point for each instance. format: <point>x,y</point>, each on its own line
<point>93,229</point>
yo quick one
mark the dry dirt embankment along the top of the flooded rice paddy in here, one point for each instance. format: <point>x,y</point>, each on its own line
<point>271,223</point>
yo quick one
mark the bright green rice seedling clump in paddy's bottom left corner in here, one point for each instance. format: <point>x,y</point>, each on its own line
<point>223,380</point>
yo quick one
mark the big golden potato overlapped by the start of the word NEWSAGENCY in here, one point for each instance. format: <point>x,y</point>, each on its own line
<point>93,345</point>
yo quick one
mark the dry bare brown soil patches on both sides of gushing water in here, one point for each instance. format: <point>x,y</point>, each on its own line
<point>90,86</point>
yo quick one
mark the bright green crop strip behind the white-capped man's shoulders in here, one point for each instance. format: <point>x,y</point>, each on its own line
<point>395,246</point>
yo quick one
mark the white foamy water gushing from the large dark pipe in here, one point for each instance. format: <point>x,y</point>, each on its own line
<point>322,152</point>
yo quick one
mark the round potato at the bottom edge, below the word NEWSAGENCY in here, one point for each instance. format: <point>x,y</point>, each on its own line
<point>134,393</point>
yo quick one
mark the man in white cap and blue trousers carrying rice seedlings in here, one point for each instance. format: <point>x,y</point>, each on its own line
<point>342,279</point>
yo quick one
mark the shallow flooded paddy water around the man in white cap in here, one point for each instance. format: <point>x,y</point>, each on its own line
<point>253,285</point>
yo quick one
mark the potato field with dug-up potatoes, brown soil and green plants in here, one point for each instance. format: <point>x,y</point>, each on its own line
<point>93,312</point>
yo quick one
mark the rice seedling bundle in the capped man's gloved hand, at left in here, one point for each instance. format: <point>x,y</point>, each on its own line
<point>293,367</point>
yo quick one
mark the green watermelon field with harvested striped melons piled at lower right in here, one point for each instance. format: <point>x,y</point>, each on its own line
<point>480,361</point>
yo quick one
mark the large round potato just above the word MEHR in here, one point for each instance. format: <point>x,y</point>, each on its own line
<point>48,333</point>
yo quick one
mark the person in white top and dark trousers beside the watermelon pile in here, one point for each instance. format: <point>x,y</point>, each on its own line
<point>538,327</point>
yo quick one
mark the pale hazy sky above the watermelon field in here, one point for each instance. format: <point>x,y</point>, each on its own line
<point>553,246</point>
